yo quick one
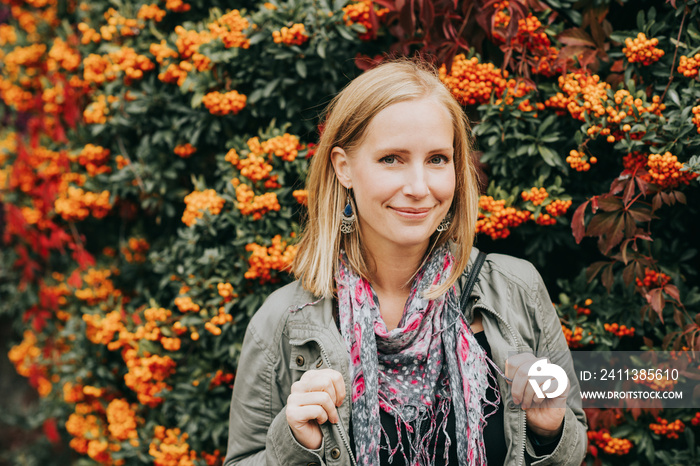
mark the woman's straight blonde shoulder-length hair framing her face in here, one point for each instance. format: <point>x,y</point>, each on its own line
<point>346,120</point>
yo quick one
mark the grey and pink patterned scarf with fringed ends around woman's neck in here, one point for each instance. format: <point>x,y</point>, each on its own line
<point>429,364</point>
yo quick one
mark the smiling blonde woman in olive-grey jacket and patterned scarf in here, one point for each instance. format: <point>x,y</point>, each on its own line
<point>366,358</point>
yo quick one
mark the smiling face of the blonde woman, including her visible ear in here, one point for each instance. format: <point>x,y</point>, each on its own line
<point>402,175</point>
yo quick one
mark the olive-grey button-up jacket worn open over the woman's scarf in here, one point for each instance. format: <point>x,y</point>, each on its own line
<point>294,332</point>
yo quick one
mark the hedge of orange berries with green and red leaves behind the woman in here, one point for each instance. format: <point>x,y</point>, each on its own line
<point>152,159</point>
